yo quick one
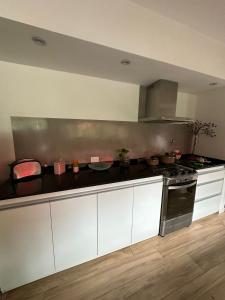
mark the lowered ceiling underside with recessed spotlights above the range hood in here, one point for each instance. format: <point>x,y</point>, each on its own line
<point>73,55</point>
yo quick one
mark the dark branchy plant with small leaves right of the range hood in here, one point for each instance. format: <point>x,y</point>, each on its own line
<point>201,128</point>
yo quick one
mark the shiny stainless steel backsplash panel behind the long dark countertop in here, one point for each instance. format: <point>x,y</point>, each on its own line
<point>49,139</point>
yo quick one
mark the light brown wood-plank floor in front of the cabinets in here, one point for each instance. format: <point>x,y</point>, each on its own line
<point>188,264</point>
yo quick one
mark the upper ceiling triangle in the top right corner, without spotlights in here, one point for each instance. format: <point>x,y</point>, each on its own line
<point>205,16</point>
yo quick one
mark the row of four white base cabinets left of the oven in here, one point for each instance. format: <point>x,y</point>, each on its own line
<point>72,227</point>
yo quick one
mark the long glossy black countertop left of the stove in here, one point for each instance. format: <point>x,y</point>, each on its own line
<point>48,182</point>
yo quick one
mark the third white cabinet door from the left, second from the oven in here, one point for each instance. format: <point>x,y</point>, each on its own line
<point>114,220</point>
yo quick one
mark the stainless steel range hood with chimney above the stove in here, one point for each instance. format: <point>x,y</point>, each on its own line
<point>157,103</point>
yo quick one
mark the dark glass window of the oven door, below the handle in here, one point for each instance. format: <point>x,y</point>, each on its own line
<point>180,201</point>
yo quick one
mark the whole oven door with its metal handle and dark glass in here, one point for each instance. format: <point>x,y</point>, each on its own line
<point>178,200</point>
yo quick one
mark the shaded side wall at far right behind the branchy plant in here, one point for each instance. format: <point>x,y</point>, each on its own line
<point>211,108</point>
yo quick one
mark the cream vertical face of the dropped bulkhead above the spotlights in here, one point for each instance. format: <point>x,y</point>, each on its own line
<point>123,25</point>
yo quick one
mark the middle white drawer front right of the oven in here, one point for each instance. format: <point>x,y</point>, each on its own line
<point>208,190</point>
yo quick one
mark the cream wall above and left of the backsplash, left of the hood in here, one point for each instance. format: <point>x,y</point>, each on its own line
<point>35,92</point>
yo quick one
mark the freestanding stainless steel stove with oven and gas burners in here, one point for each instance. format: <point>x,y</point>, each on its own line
<point>178,197</point>
